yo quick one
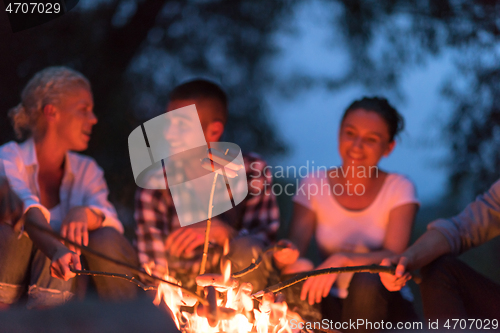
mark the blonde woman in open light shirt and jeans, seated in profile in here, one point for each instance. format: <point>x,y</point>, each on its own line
<point>59,190</point>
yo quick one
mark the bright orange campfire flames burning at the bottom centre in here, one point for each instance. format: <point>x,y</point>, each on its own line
<point>228,306</point>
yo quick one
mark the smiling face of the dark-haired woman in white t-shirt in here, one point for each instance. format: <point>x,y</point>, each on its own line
<point>364,138</point>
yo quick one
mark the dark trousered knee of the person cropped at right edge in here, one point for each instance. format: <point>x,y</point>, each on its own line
<point>452,290</point>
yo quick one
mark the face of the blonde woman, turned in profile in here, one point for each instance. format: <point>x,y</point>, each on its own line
<point>75,119</point>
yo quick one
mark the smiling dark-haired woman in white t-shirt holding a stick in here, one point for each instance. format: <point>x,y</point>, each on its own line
<point>358,214</point>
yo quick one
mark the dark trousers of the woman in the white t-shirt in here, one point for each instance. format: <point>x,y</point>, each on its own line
<point>368,299</point>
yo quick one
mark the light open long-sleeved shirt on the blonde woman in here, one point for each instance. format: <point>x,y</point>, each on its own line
<point>83,182</point>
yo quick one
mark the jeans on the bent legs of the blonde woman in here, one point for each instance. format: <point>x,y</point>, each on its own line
<point>24,268</point>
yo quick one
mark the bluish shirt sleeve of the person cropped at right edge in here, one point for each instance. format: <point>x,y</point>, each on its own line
<point>476,224</point>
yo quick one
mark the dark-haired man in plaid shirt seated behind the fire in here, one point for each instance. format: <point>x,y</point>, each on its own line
<point>251,225</point>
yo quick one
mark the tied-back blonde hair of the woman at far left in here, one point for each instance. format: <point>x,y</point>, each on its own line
<point>45,87</point>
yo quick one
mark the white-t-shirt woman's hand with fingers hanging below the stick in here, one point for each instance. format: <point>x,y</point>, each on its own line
<point>316,288</point>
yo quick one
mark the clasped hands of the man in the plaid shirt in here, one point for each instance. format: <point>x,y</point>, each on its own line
<point>183,241</point>
